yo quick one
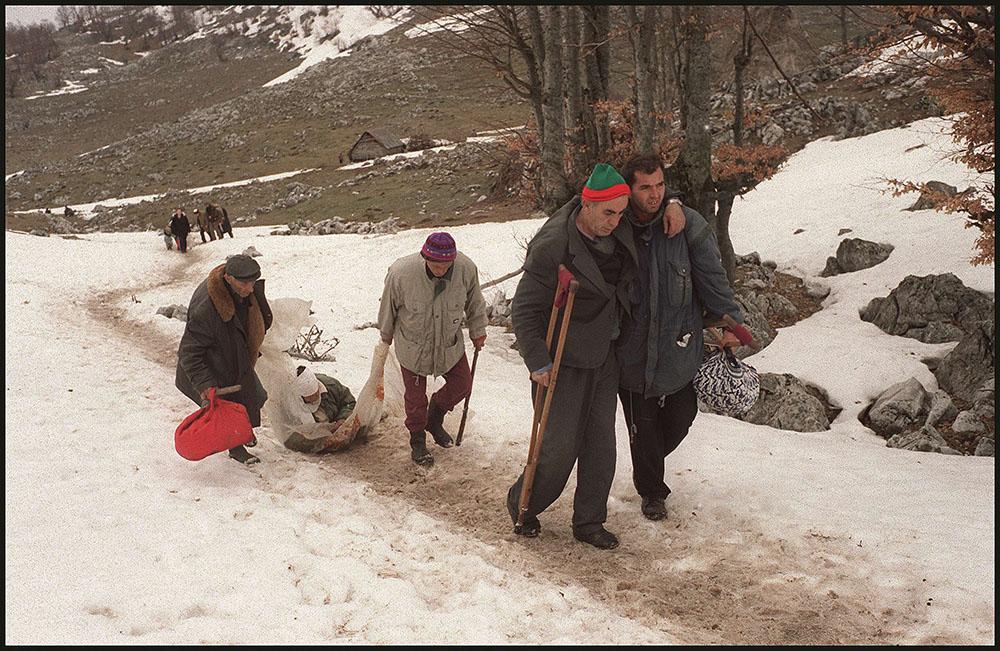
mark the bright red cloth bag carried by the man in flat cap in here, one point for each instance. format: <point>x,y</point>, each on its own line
<point>221,425</point>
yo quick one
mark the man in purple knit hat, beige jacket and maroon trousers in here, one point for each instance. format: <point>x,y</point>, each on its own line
<point>426,295</point>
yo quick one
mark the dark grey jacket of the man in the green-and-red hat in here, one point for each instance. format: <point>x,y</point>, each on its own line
<point>595,319</point>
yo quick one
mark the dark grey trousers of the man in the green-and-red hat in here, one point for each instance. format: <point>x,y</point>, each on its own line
<point>580,430</point>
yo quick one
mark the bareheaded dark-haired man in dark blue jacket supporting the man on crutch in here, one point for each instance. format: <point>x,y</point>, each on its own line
<point>660,349</point>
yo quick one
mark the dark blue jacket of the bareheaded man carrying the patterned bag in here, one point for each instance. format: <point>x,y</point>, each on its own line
<point>660,349</point>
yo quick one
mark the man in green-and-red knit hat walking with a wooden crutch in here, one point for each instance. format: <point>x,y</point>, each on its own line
<point>590,238</point>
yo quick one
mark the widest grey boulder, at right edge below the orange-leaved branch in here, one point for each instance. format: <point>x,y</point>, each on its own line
<point>932,309</point>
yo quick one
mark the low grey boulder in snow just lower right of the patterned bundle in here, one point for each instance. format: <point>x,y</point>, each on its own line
<point>786,403</point>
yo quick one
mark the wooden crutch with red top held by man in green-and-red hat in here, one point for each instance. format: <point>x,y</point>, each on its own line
<point>565,293</point>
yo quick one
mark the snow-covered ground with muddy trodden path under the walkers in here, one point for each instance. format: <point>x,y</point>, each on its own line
<point>773,536</point>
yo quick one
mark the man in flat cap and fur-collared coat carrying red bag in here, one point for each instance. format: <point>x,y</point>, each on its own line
<point>227,319</point>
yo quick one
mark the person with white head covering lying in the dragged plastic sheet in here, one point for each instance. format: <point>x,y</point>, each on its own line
<point>326,403</point>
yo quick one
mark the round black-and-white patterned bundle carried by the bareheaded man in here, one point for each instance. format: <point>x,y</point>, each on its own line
<point>727,385</point>
